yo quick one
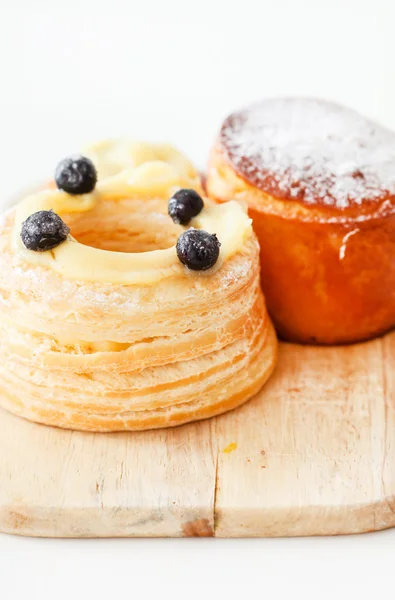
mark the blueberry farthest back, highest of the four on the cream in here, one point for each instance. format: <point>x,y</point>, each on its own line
<point>76,175</point>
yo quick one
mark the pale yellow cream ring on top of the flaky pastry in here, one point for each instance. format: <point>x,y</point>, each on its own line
<point>130,170</point>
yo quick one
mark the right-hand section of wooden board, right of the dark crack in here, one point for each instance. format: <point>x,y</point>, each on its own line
<point>318,456</point>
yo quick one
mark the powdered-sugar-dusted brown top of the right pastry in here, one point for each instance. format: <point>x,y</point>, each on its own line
<point>313,151</point>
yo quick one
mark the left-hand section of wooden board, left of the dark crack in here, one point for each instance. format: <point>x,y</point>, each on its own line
<point>70,484</point>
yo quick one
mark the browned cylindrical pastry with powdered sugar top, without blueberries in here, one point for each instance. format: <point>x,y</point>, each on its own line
<point>319,181</point>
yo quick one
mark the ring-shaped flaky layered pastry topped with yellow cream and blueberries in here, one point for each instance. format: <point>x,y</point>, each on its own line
<point>120,310</point>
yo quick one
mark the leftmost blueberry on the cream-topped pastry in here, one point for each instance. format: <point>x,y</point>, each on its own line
<point>43,230</point>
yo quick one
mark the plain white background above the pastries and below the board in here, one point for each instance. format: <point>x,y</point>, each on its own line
<point>74,71</point>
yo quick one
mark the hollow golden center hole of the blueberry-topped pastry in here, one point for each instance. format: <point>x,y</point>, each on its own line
<point>125,226</point>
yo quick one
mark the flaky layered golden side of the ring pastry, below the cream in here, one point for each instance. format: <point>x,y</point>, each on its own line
<point>101,356</point>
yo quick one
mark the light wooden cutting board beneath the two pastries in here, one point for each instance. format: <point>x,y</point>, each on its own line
<point>312,454</point>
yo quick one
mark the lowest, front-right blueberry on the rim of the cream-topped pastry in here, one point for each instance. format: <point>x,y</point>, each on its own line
<point>197,249</point>
